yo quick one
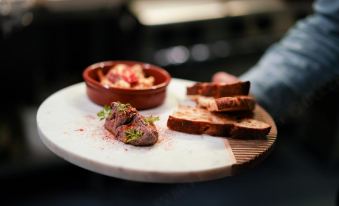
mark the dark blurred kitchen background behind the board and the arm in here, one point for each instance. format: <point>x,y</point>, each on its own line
<point>46,44</point>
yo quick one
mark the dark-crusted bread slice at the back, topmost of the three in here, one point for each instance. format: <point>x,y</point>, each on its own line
<point>218,90</point>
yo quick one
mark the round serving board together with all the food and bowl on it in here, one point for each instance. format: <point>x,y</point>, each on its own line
<point>131,120</point>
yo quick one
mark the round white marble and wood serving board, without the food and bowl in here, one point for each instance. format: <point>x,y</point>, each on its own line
<point>68,126</point>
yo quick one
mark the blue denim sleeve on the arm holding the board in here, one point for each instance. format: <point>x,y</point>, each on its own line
<point>306,59</point>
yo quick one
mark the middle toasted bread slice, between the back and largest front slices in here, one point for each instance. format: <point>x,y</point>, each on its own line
<point>226,104</point>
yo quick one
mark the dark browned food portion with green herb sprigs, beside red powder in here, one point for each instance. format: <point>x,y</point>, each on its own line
<point>129,126</point>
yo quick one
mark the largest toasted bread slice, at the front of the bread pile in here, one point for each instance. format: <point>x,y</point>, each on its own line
<point>200,121</point>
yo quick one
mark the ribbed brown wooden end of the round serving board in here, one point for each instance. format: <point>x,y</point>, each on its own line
<point>250,152</point>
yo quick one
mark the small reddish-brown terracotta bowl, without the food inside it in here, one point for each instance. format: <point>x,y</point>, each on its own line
<point>139,98</point>
